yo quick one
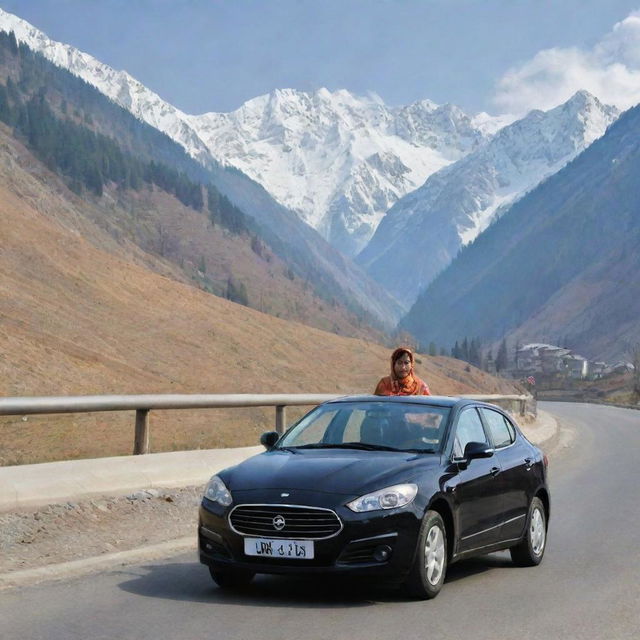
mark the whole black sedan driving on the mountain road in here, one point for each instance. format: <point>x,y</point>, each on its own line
<point>392,488</point>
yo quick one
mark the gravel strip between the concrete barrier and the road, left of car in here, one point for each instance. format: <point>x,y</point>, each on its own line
<point>74,530</point>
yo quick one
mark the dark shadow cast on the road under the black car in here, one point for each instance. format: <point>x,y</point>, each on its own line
<point>190,581</point>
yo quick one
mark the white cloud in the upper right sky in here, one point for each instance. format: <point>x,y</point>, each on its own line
<point>610,71</point>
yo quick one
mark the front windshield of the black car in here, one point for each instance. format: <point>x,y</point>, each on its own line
<point>393,426</point>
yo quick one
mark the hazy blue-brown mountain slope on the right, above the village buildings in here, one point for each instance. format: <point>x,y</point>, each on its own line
<point>561,262</point>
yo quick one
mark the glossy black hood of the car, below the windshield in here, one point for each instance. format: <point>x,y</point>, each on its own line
<point>347,472</point>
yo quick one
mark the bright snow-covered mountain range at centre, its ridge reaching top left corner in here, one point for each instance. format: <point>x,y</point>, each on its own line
<point>339,161</point>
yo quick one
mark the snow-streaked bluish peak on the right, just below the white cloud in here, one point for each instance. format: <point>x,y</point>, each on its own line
<point>423,231</point>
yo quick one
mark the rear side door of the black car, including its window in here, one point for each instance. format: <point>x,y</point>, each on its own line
<point>516,459</point>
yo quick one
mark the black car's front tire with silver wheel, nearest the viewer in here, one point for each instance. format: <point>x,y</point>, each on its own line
<point>430,564</point>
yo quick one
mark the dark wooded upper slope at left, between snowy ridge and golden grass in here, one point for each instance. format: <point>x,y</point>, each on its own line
<point>95,145</point>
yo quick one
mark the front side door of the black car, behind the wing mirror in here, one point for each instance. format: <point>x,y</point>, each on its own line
<point>476,488</point>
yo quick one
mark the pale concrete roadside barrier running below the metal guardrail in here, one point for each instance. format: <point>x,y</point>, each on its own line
<point>55,482</point>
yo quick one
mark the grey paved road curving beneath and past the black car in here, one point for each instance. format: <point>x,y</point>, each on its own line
<point>587,587</point>
